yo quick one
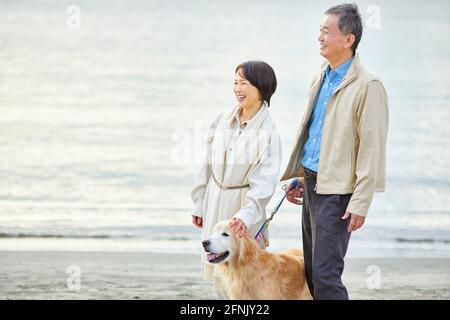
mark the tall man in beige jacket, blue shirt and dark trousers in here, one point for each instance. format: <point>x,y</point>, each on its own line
<point>340,151</point>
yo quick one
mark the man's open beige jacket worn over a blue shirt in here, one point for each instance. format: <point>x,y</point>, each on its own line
<point>353,148</point>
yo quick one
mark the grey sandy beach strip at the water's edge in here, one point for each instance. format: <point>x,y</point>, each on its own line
<point>155,276</point>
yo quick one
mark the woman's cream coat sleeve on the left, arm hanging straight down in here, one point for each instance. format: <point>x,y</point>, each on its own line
<point>201,182</point>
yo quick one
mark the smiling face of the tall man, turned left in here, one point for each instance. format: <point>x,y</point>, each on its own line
<point>332,41</point>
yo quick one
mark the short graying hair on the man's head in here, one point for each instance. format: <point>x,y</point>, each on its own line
<point>350,21</point>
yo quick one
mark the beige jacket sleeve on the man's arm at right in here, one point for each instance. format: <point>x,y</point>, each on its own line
<point>371,153</point>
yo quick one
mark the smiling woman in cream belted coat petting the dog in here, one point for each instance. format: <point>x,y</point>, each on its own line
<point>243,156</point>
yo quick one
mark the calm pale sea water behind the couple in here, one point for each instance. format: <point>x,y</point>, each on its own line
<point>101,126</point>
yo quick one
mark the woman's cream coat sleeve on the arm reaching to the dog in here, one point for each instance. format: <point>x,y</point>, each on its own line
<point>262,180</point>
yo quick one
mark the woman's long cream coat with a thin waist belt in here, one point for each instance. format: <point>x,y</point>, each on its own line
<point>252,158</point>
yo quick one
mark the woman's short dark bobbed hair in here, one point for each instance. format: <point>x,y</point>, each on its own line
<point>261,76</point>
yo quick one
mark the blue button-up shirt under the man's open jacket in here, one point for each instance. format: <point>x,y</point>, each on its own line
<point>331,80</point>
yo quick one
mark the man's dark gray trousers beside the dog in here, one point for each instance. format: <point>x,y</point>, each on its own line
<point>325,242</point>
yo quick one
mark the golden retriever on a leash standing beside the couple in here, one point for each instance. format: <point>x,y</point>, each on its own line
<point>248,272</point>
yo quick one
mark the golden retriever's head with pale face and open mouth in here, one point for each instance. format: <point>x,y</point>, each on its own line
<point>224,245</point>
